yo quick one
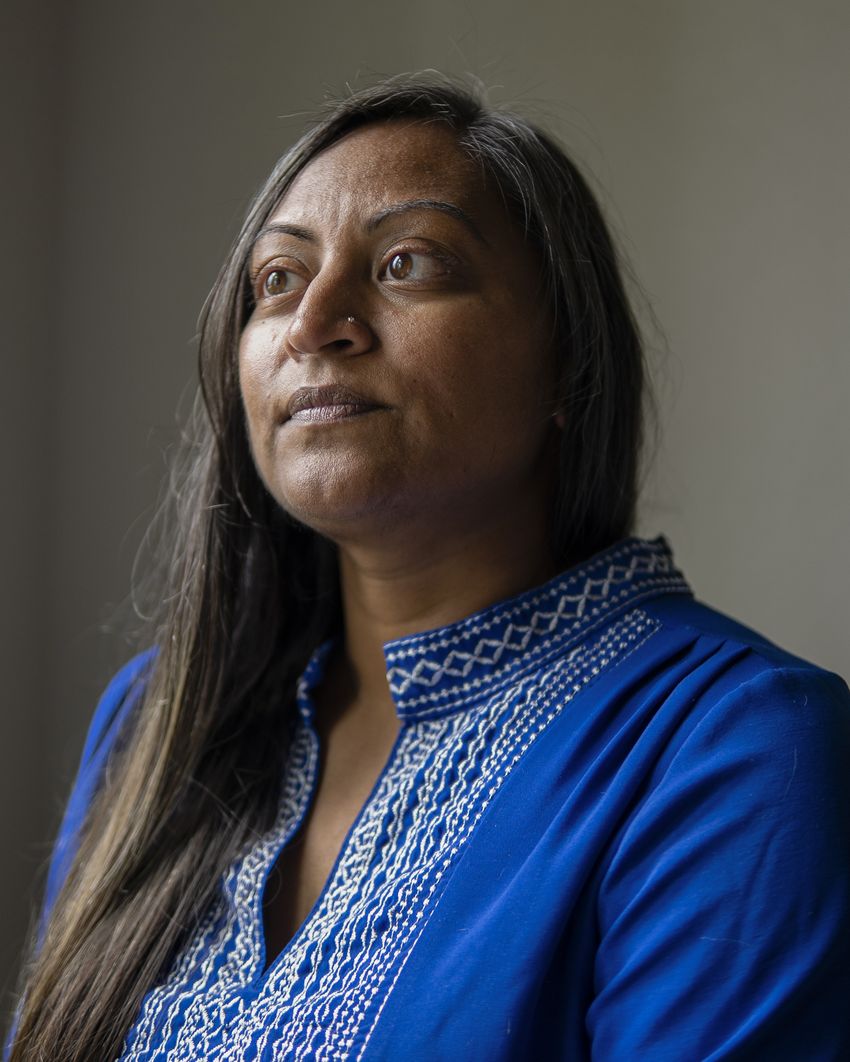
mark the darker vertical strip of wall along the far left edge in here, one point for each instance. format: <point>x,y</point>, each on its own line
<point>30,83</point>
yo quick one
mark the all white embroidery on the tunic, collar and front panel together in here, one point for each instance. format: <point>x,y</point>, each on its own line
<point>325,995</point>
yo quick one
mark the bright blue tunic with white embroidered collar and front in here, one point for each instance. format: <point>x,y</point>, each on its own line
<point>616,826</point>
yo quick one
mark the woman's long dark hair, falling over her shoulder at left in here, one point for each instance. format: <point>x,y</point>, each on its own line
<point>247,593</point>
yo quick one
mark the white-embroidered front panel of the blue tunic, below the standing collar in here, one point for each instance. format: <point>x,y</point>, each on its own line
<point>324,991</point>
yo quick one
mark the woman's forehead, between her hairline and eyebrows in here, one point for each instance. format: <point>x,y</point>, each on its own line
<point>388,163</point>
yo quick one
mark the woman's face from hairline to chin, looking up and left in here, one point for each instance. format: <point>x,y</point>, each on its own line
<point>393,277</point>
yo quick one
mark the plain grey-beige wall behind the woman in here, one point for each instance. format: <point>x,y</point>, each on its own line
<point>135,136</point>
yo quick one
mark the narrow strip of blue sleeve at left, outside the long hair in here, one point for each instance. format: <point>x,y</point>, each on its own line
<point>113,709</point>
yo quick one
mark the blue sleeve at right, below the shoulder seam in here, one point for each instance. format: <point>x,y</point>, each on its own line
<point>725,910</point>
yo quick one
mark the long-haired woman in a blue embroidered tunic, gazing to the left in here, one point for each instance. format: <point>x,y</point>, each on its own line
<point>433,761</point>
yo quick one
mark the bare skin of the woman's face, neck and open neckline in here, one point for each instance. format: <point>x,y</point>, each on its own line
<point>439,500</point>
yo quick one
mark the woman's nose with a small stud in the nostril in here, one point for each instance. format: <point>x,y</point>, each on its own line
<point>326,322</point>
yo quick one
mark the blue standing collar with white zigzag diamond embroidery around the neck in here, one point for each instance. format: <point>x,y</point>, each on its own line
<point>452,667</point>
